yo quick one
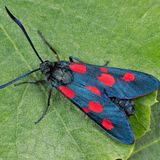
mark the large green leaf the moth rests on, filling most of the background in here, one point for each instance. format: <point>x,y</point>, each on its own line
<point>124,32</point>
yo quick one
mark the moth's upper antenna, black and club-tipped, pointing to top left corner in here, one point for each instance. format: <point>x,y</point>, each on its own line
<point>24,31</point>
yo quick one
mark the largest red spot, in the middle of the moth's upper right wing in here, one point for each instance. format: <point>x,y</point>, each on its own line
<point>107,79</point>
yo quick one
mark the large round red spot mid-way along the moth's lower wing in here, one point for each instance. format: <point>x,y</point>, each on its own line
<point>95,107</point>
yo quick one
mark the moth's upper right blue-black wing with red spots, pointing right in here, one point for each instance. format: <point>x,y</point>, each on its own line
<point>119,83</point>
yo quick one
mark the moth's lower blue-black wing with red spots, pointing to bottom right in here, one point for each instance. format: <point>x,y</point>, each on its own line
<point>98,107</point>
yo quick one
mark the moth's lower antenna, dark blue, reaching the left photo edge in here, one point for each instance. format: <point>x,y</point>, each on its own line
<point>17,79</point>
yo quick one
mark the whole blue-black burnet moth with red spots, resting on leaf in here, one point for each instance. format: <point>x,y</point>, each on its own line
<point>103,93</point>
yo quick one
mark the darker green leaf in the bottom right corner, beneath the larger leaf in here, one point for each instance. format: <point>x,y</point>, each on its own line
<point>148,147</point>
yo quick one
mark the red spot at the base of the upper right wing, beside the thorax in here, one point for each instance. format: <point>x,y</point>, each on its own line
<point>79,68</point>
